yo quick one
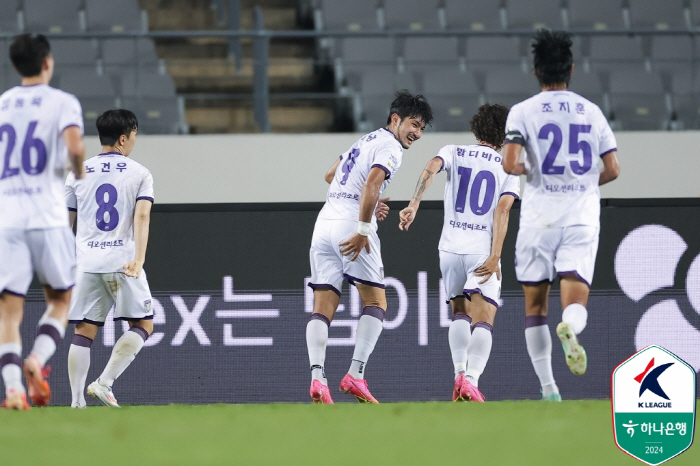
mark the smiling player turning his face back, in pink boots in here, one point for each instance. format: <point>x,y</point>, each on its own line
<point>345,244</point>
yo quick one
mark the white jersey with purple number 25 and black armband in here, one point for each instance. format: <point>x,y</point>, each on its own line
<point>565,136</point>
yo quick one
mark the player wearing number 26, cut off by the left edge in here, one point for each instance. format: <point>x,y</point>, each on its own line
<point>40,129</point>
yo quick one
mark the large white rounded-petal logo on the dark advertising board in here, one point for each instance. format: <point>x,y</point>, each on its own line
<point>646,268</point>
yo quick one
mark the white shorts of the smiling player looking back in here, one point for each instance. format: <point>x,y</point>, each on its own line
<point>329,267</point>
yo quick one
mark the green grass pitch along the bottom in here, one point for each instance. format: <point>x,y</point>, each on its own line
<point>495,433</point>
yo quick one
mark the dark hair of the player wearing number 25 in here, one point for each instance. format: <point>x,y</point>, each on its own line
<point>553,58</point>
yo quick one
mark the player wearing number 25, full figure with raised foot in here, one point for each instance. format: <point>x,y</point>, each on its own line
<point>565,137</point>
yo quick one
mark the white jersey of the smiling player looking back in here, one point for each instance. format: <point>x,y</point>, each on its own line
<point>376,149</point>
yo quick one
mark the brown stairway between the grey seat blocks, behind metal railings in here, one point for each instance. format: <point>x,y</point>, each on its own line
<point>202,66</point>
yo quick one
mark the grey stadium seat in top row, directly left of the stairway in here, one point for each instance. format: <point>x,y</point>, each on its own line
<point>113,16</point>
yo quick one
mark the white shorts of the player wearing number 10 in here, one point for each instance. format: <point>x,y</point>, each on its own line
<point>460,280</point>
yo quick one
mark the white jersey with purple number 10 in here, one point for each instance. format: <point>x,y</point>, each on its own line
<point>475,183</point>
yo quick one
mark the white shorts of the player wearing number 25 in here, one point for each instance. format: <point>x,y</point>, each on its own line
<point>539,252</point>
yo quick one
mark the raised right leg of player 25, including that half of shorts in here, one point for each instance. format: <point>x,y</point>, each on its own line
<point>575,263</point>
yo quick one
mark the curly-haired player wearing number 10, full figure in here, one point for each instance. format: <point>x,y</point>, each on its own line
<point>478,198</point>
